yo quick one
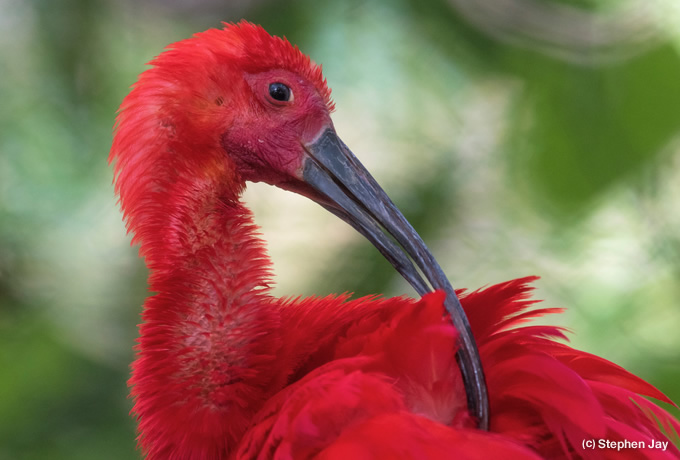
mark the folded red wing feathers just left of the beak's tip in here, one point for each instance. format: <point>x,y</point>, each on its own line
<point>392,389</point>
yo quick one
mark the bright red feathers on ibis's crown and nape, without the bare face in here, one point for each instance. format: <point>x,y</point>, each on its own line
<point>157,125</point>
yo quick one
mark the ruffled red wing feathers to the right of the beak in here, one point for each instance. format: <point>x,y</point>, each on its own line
<point>542,391</point>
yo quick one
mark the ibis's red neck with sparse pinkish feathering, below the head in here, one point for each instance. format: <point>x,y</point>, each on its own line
<point>210,334</point>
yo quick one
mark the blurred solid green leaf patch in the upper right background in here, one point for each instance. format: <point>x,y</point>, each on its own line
<point>591,128</point>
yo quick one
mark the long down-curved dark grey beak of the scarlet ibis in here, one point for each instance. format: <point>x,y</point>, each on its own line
<point>348,190</point>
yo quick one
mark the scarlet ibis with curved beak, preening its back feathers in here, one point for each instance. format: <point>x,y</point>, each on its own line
<point>227,371</point>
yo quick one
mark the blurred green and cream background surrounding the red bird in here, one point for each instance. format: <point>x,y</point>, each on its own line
<point>518,136</point>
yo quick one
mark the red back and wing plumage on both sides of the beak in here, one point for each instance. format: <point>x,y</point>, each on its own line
<point>380,380</point>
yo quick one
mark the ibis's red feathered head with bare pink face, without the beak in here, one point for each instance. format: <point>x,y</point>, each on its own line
<point>233,105</point>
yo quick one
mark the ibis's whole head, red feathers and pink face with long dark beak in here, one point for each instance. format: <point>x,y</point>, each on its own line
<point>235,105</point>
